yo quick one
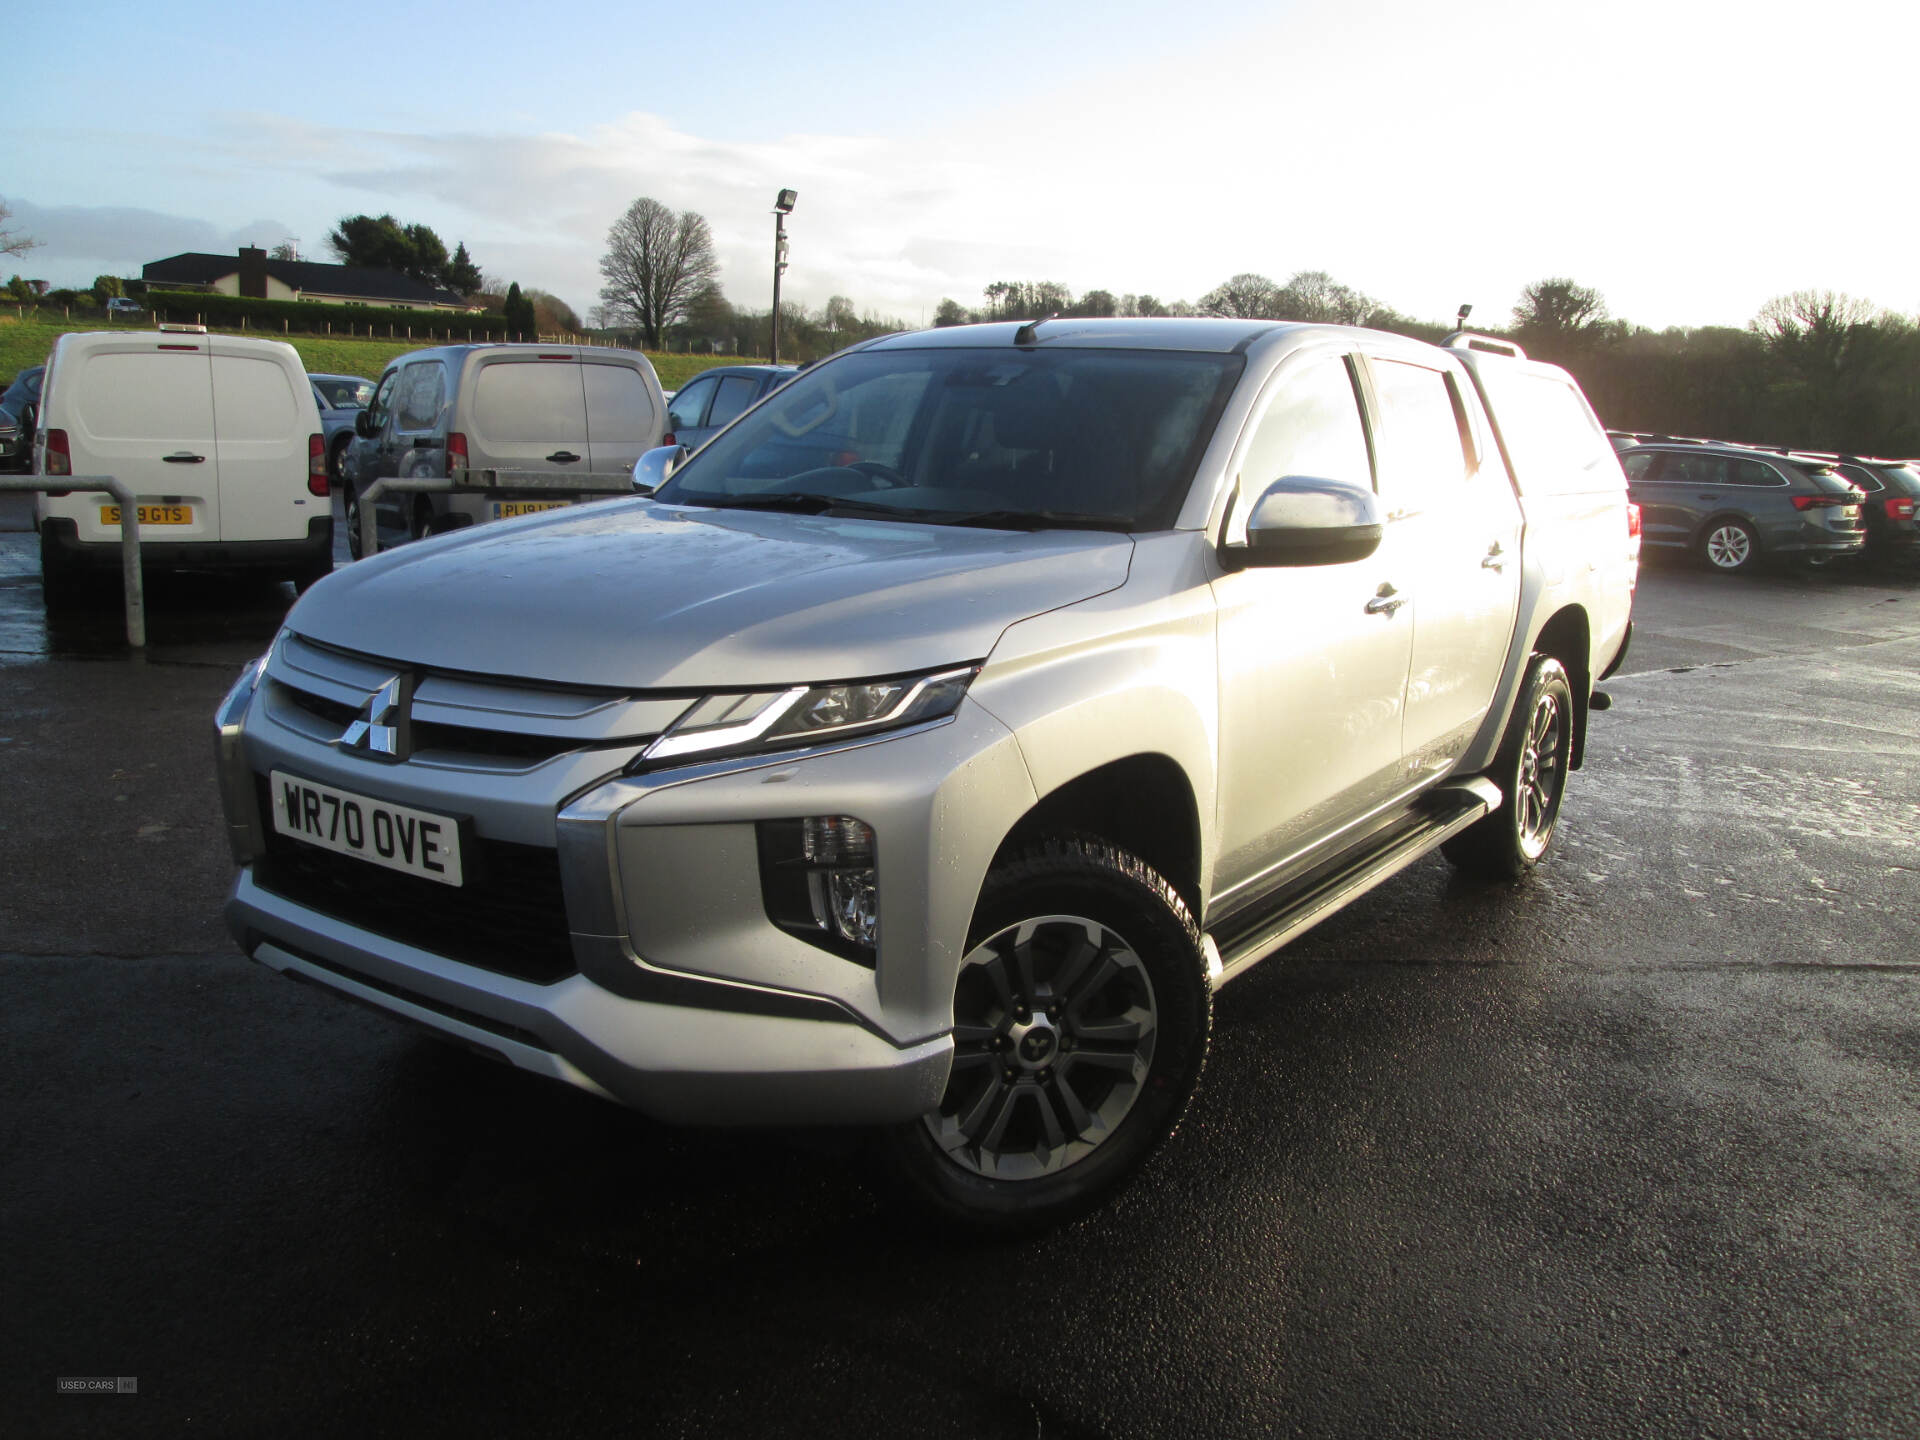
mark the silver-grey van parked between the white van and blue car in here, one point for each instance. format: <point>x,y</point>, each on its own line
<point>558,410</point>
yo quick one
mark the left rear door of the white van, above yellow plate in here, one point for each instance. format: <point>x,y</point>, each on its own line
<point>143,412</point>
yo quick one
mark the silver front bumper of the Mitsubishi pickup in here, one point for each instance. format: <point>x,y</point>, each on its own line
<point>683,999</point>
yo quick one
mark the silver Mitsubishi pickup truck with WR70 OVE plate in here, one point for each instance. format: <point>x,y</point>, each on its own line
<point>938,740</point>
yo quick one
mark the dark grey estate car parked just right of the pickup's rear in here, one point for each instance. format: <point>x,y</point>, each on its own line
<point>1735,506</point>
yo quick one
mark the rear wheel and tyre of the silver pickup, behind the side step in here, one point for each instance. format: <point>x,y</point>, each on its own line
<point>1531,771</point>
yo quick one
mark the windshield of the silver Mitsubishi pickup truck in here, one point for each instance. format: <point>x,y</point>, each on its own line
<point>1076,439</point>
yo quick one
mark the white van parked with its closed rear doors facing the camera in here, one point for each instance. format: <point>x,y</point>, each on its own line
<point>218,437</point>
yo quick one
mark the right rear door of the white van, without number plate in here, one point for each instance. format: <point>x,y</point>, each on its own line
<point>262,420</point>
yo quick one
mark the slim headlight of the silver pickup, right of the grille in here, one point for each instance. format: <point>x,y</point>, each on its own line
<point>805,715</point>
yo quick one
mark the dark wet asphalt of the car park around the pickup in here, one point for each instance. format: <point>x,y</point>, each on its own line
<point>1631,1149</point>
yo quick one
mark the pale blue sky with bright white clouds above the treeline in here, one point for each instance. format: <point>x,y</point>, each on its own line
<point>1689,160</point>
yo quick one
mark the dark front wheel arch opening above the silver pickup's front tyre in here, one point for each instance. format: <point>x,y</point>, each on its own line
<point>1141,804</point>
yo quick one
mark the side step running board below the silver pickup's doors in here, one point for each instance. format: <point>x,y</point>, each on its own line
<point>1345,878</point>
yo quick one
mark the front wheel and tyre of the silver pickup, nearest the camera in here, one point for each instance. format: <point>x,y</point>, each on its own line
<point>1084,999</point>
